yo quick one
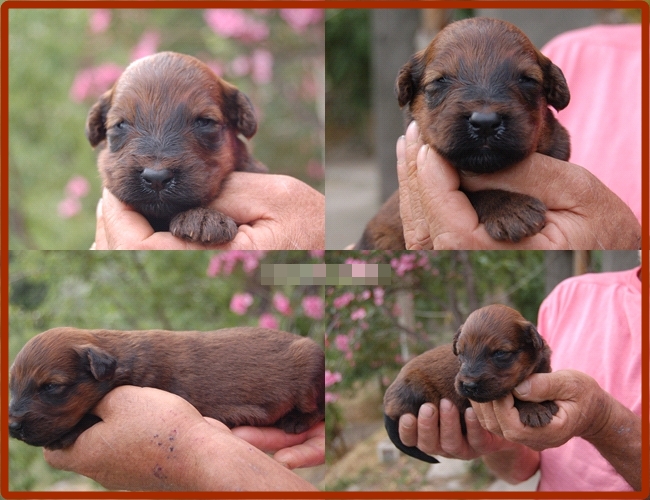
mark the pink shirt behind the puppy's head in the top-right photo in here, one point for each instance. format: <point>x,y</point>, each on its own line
<point>602,65</point>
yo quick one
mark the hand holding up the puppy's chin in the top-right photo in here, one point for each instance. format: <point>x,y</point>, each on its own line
<point>582,212</point>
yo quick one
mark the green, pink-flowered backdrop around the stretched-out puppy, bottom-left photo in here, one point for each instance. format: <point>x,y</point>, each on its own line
<point>146,290</point>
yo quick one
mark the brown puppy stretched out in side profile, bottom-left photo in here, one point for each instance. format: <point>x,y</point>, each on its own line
<point>240,376</point>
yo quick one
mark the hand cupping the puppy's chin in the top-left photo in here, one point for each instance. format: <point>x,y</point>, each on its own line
<point>274,212</point>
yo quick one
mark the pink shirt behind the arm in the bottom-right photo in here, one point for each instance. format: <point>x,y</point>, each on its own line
<point>593,324</point>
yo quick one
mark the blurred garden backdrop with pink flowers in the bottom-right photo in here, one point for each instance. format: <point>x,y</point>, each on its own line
<point>371,332</point>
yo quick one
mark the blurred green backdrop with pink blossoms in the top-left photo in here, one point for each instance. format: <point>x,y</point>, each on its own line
<point>61,60</point>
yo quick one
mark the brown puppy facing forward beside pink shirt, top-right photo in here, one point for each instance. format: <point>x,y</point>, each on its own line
<point>480,94</point>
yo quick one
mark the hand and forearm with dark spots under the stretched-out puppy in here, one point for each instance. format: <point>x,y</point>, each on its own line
<point>150,439</point>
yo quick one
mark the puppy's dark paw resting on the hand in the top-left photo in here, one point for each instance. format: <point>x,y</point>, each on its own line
<point>203,225</point>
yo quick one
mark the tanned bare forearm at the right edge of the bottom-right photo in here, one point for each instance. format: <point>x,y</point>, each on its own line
<point>619,442</point>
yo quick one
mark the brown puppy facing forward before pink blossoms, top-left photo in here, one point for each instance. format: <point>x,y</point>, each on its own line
<point>168,130</point>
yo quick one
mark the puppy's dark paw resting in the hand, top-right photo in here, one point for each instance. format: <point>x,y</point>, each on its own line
<point>506,215</point>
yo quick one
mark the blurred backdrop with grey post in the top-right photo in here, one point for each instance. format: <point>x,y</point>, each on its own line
<point>364,51</point>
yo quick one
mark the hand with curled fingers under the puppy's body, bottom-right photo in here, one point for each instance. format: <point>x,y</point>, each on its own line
<point>438,432</point>
